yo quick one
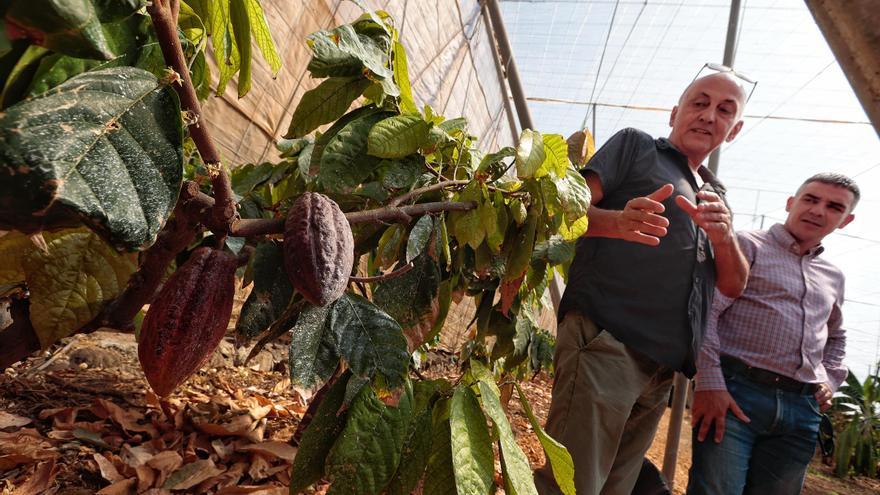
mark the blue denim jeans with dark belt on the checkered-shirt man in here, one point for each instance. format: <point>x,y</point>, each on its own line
<point>768,456</point>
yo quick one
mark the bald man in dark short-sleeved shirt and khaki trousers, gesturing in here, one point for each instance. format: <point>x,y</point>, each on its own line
<point>640,285</point>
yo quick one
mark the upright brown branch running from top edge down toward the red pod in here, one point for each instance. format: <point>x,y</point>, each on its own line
<point>164,16</point>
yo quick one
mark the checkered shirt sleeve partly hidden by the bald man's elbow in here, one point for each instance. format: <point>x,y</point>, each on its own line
<point>709,374</point>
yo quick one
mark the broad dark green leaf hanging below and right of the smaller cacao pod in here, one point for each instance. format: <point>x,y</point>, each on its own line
<point>370,341</point>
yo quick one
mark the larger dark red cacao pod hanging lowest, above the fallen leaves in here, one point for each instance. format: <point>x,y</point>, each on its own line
<point>188,319</point>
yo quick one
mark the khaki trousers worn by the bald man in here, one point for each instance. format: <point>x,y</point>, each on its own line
<point>607,401</point>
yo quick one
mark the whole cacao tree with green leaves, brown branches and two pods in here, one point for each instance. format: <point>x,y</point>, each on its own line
<point>378,217</point>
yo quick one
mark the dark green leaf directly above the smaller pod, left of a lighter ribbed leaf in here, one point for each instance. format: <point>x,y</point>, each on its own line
<point>344,162</point>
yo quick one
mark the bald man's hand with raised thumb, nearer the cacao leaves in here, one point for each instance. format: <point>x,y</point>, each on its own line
<point>640,220</point>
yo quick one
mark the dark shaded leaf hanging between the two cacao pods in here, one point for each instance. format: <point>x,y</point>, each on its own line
<point>271,293</point>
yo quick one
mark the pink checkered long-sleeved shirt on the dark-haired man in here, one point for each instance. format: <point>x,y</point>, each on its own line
<point>787,320</point>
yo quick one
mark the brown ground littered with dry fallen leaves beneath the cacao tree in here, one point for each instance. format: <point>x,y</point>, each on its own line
<point>82,420</point>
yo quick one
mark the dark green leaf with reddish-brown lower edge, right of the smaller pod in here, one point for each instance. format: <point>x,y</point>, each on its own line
<point>411,299</point>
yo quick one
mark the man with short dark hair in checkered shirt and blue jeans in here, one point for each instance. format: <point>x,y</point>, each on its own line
<point>774,355</point>
